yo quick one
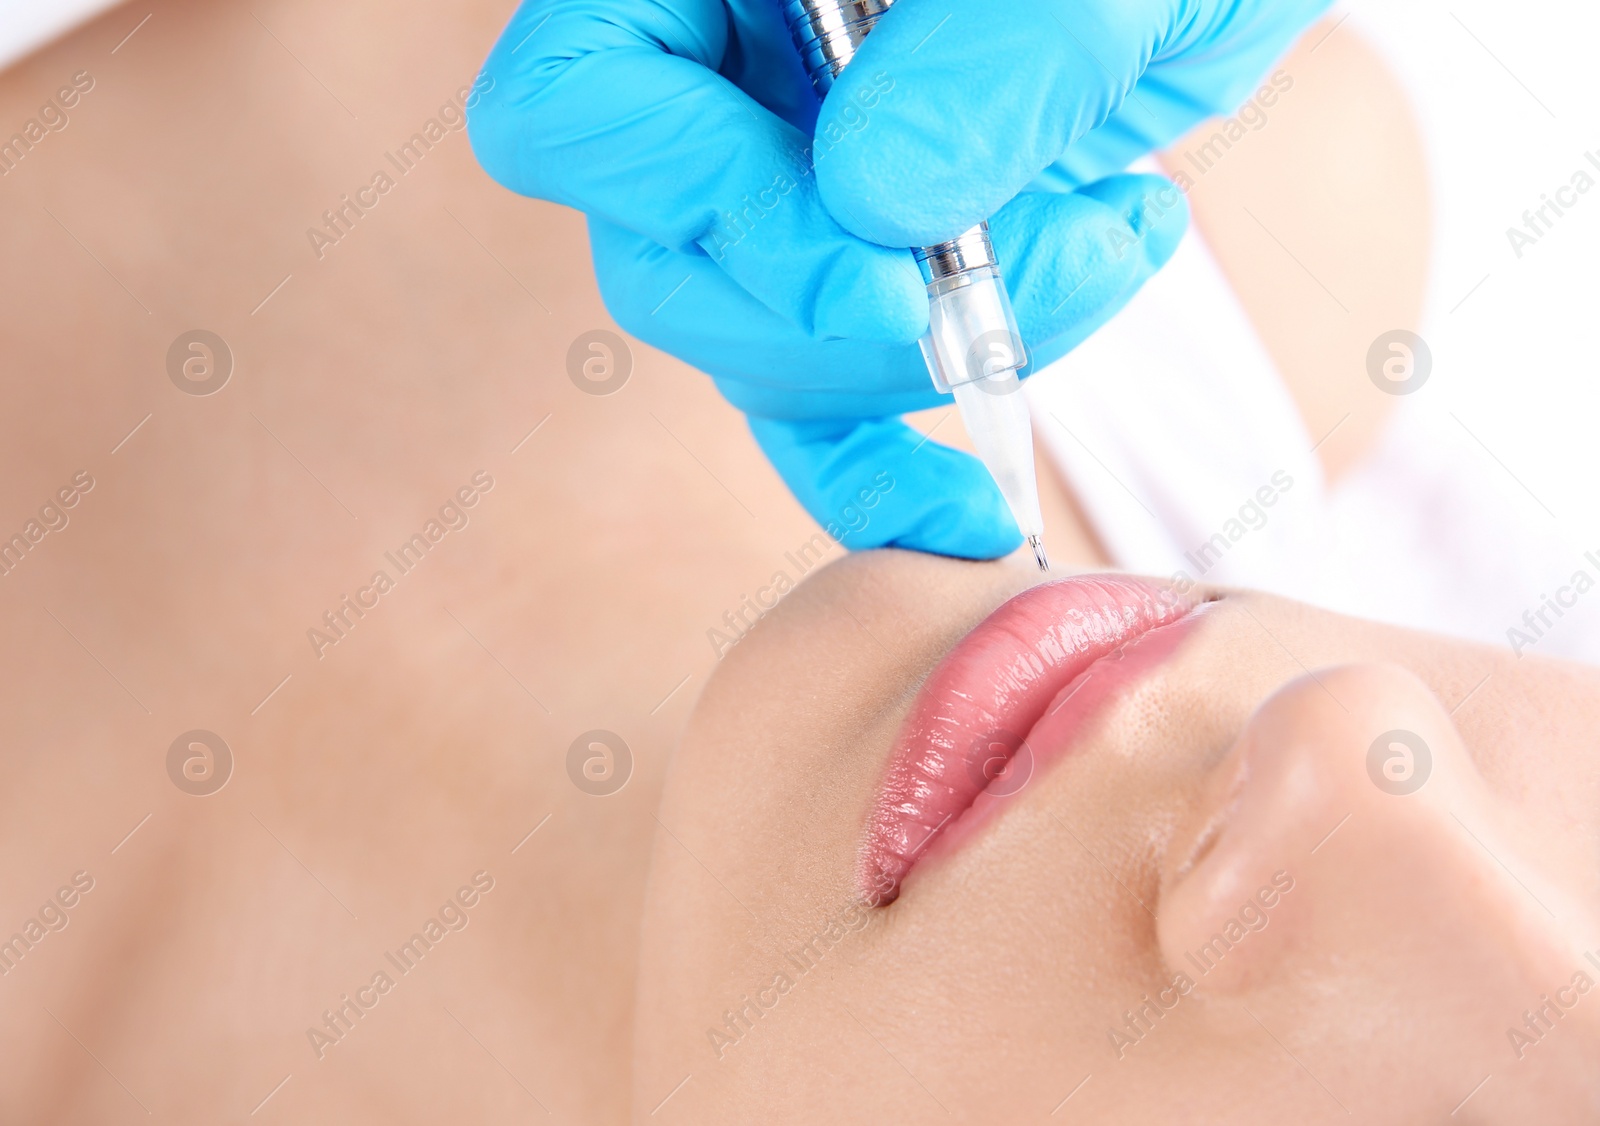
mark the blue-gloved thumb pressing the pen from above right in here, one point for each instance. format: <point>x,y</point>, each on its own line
<point>985,97</point>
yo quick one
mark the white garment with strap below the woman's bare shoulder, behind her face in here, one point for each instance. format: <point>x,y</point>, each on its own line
<point>1174,428</point>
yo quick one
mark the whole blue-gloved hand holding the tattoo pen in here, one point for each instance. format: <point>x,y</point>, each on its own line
<point>684,129</point>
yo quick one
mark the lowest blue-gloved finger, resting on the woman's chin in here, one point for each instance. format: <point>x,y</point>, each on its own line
<point>879,484</point>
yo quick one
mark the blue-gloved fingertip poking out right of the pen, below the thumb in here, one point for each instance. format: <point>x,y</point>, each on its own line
<point>1074,260</point>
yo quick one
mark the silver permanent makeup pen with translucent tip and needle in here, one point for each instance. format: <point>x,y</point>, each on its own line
<point>974,348</point>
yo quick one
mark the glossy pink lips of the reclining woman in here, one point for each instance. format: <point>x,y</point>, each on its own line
<point>982,705</point>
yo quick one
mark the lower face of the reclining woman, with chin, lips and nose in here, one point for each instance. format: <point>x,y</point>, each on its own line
<point>1121,856</point>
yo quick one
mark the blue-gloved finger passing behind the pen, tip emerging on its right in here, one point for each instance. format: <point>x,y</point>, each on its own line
<point>1071,262</point>
